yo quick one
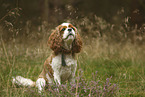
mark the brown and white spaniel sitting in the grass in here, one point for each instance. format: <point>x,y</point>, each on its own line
<point>61,66</point>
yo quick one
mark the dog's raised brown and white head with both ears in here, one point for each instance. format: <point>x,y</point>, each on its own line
<point>65,39</point>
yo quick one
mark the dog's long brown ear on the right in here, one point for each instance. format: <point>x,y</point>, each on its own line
<point>77,44</point>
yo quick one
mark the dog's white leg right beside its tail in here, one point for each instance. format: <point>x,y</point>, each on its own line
<point>40,84</point>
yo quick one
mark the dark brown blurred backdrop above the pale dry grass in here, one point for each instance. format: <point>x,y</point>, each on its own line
<point>20,18</point>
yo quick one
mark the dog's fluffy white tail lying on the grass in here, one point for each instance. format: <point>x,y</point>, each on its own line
<point>21,81</point>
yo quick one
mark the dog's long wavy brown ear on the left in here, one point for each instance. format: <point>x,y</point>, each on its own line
<point>55,40</point>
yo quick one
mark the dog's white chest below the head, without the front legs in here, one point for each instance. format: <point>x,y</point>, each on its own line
<point>64,71</point>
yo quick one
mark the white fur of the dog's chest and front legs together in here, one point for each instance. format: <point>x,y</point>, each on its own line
<point>63,73</point>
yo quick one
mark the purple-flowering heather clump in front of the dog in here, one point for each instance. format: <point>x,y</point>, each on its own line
<point>84,88</point>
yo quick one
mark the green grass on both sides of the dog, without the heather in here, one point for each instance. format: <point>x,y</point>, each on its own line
<point>128,74</point>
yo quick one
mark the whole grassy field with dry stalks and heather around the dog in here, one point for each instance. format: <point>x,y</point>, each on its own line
<point>108,65</point>
